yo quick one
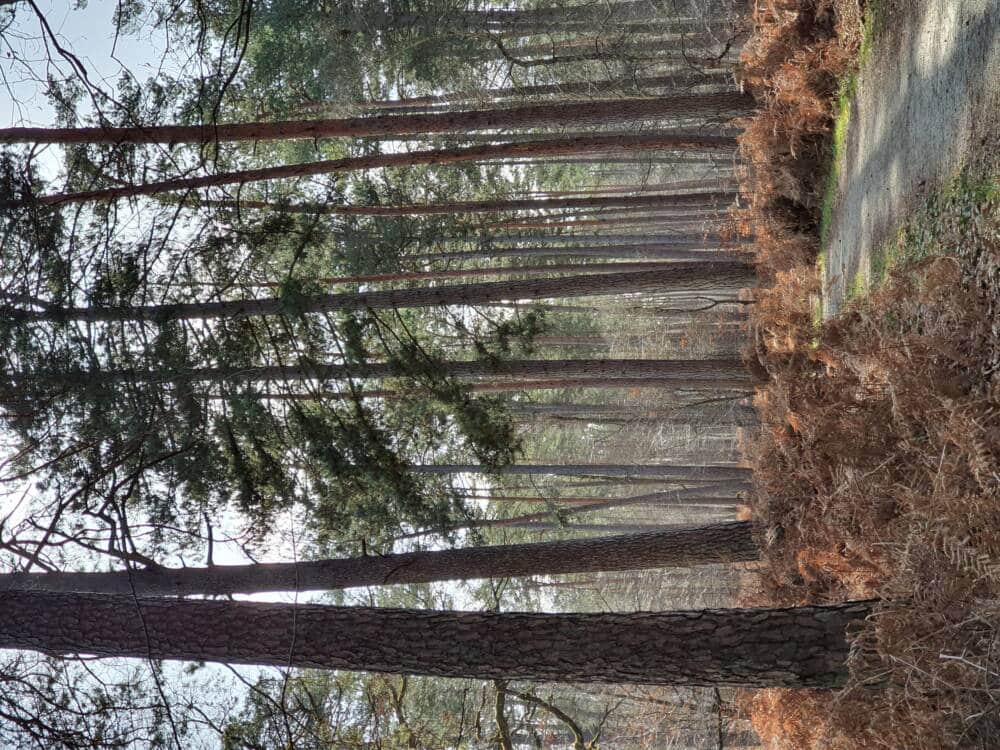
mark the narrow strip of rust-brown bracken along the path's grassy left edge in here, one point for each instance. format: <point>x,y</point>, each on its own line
<point>792,64</point>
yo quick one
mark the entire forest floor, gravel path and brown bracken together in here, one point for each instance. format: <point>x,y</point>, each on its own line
<point>875,470</point>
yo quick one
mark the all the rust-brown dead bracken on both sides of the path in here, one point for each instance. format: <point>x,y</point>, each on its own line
<point>877,467</point>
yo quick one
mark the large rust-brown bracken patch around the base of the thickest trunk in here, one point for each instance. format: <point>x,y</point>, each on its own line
<point>877,473</point>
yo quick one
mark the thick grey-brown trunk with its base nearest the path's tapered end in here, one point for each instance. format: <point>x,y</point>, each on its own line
<point>697,276</point>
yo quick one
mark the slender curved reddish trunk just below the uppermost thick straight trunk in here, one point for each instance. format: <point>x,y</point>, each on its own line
<point>546,148</point>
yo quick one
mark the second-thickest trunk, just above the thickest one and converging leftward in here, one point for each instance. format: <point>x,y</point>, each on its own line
<point>699,545</point>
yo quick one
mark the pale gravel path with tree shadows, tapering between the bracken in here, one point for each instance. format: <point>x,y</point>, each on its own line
<point>928,100</point>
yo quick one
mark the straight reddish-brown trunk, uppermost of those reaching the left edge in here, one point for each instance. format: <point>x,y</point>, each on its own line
<point>506,118</point>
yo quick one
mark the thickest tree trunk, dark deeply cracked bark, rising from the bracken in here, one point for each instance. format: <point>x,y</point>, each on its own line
<point>799,647</point>
